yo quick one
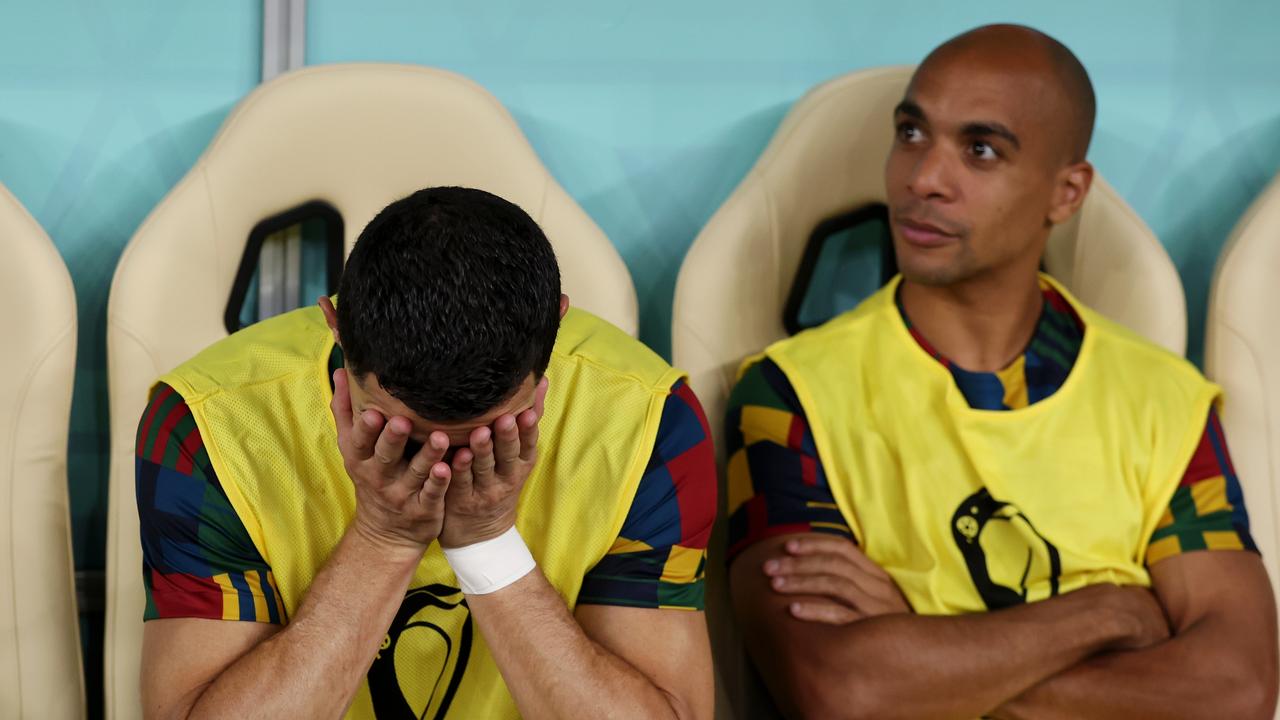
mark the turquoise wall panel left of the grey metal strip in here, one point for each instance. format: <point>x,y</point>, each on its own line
<point>103,108</point>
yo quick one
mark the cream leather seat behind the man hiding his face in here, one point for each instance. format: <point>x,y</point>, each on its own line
<point>356,138</point>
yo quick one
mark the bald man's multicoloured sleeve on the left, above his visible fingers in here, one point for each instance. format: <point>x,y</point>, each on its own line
<point>776,481</point>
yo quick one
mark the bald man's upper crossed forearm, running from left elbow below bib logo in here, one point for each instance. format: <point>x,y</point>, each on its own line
<point>907,666</point>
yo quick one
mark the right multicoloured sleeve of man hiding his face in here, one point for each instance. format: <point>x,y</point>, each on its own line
<point>661,554</point>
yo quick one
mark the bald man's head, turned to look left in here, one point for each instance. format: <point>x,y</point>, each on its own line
<point>993,133</point>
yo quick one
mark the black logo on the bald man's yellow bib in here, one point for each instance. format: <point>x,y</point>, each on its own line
<point>1004,553</point>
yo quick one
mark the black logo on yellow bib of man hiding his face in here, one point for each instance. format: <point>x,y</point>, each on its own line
<point>424,655</point>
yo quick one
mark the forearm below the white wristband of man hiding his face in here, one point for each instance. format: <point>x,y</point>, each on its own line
<point>552,668</point>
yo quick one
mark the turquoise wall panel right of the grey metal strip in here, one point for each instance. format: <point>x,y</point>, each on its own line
<point>651,113</point>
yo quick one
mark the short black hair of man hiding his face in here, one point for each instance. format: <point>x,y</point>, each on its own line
<point>451,298</point>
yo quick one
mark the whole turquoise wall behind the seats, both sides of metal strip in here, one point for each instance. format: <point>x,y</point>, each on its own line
<point>648,113</point>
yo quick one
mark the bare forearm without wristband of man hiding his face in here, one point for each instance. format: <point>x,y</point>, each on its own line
<point>316,666</point>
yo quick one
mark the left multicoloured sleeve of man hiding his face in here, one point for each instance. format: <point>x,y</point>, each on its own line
<point>198,559</point>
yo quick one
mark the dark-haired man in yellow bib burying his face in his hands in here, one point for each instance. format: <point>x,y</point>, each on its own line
<point>294,481</point>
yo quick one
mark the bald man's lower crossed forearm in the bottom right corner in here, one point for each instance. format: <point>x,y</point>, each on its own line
<point>1201,673</point>
